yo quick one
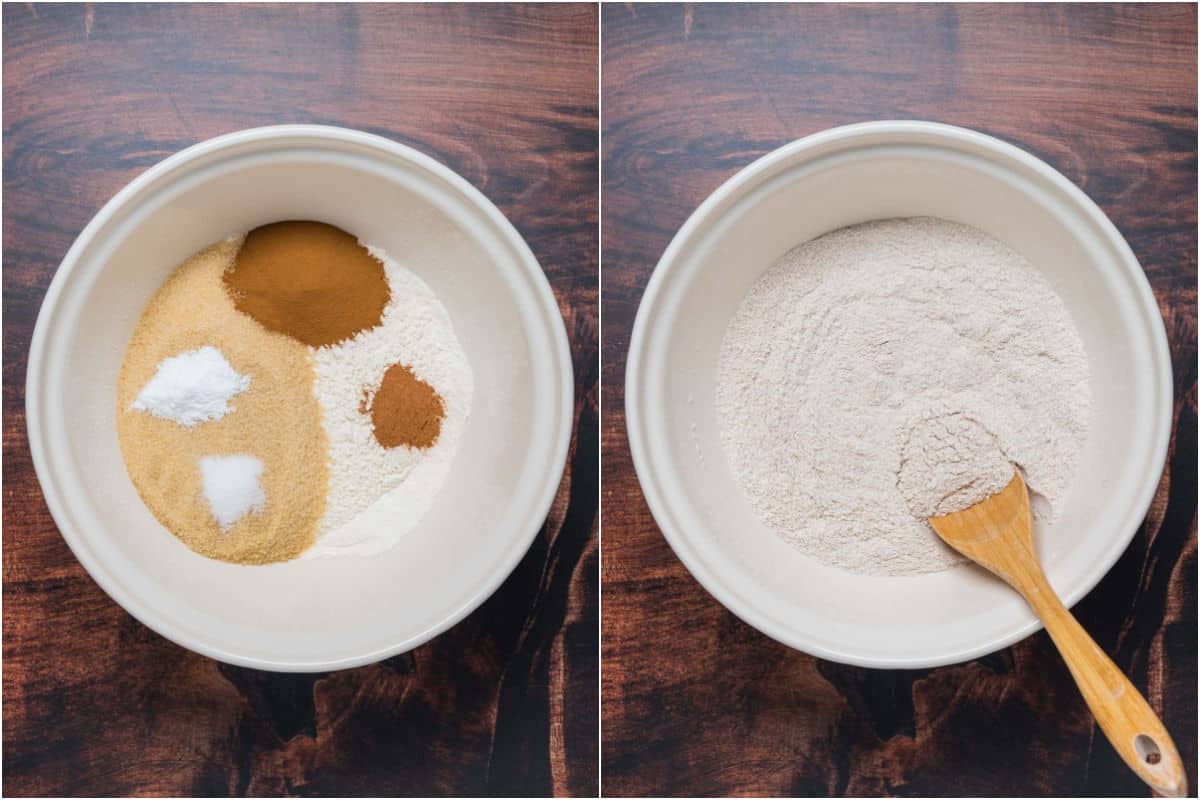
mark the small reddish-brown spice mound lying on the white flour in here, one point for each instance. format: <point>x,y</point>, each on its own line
<point>405,411</point>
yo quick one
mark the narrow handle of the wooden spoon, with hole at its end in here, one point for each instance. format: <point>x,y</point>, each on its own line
<point>1126,718</point>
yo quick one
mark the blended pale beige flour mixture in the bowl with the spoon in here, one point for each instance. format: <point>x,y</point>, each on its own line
<point>892,335</point>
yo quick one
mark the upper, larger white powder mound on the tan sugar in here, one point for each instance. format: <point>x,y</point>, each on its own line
<point>191,388</point>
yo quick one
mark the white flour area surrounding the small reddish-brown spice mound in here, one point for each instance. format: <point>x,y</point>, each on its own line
<point>377,495</point>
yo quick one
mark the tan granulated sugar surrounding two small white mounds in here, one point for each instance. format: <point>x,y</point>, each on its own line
<point>277,420</point>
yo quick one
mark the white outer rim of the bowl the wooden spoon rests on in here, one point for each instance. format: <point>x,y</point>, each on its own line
<point>937,135</point>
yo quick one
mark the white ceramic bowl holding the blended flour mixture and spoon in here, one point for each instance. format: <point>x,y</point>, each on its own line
<point>839,178</point>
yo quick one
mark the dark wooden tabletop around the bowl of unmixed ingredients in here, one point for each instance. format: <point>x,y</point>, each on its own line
<point>507,702</point>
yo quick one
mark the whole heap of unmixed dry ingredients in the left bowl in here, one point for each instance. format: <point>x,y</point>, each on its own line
<point>353,395</point>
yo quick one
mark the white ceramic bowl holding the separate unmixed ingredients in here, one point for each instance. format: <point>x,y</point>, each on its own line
<point>316,615</point>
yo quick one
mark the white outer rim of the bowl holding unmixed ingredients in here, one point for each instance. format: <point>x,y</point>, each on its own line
<point>544,308</point>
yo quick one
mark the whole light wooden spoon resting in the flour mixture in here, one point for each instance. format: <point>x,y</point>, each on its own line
<point>998,534</point>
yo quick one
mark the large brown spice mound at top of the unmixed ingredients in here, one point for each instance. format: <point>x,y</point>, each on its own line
<point>310,281</point>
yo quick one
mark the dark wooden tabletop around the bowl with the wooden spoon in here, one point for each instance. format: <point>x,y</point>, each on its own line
<point>698,703</point>
